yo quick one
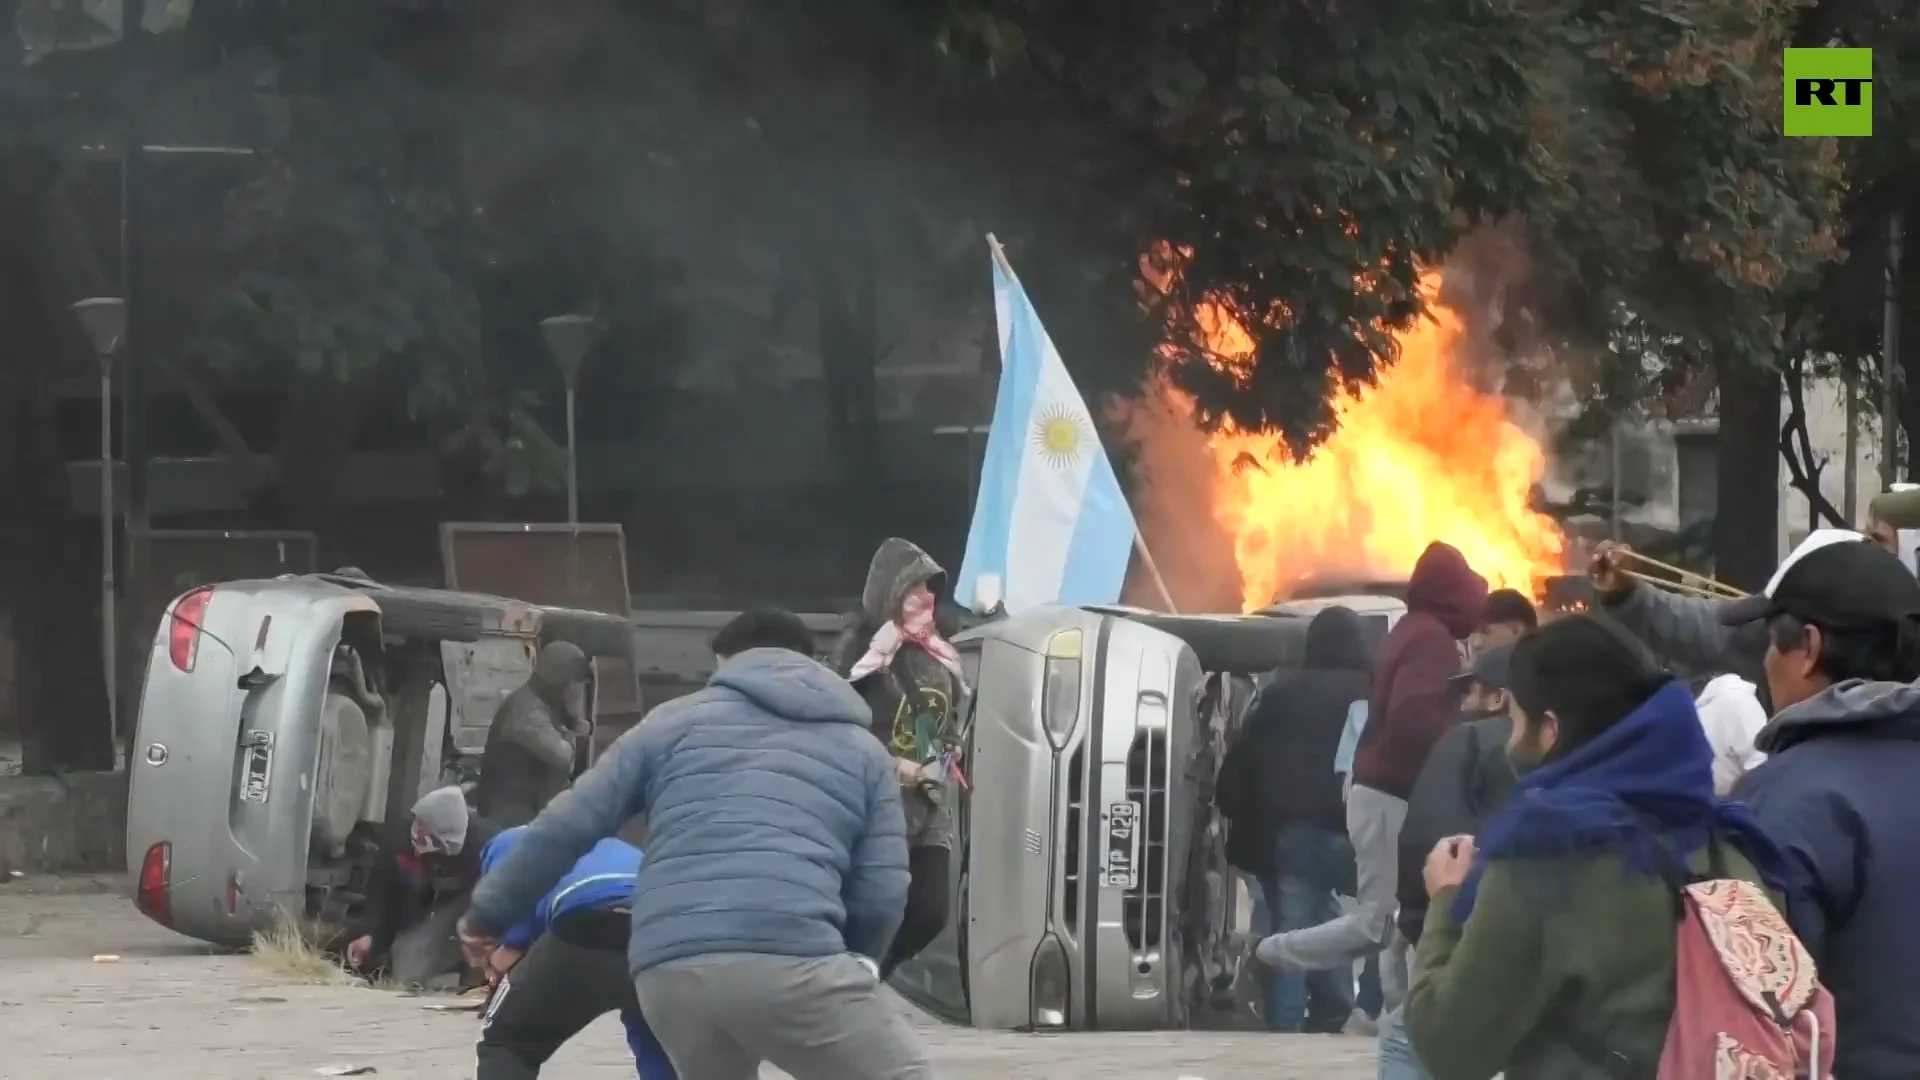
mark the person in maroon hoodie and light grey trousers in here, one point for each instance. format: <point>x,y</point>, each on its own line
<point>1410,706</point>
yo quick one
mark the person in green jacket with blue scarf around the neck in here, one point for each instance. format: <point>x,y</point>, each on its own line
<point>1548,950</point>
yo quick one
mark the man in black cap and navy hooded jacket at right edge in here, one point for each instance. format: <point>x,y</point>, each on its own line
<point>1840,789</point>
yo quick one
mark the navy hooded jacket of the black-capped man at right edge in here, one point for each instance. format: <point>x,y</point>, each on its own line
<point>1838,795</point>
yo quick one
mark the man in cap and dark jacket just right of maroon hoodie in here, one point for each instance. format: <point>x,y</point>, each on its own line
<point>1466,779</point>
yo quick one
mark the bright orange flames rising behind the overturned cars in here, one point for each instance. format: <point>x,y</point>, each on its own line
<point>1420,456</point>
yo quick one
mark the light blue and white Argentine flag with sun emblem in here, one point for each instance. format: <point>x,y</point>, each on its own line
<point>1049,520</point>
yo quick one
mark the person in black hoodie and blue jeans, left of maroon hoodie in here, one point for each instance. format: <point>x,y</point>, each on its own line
<point>1280,783</point>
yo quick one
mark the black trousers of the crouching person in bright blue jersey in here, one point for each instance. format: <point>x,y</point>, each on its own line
<point>571,977</point>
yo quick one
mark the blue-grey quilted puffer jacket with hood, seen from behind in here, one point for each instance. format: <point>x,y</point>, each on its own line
<point>775,822</point>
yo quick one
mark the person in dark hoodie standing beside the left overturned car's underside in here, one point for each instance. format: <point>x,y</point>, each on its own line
<point>531,747</point>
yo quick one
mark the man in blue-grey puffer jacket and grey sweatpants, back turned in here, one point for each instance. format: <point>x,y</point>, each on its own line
<point>775,877</point>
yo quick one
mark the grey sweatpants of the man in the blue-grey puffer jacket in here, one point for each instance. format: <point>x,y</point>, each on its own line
<point>815,1018</point>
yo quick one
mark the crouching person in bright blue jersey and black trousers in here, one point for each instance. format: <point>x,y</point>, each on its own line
<point>565,968</point>
